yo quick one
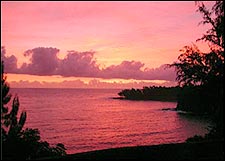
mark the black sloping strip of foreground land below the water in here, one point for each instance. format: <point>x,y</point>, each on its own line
<point>179,151</point>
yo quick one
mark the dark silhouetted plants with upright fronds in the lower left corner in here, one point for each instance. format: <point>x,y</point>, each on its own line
<point>18,143</point>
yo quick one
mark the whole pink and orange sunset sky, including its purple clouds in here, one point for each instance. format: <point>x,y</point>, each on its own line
<point>96,44</point>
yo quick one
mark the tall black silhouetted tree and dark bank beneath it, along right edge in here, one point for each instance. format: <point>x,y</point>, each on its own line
<point>202,74</point>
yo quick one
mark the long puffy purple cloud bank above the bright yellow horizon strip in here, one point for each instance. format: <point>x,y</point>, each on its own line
<point>44,62</point>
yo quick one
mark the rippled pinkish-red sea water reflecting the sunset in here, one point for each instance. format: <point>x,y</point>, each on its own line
<point>89,119</point>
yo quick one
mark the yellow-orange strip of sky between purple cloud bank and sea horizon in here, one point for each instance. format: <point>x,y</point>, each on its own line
<point>31,81</point>
